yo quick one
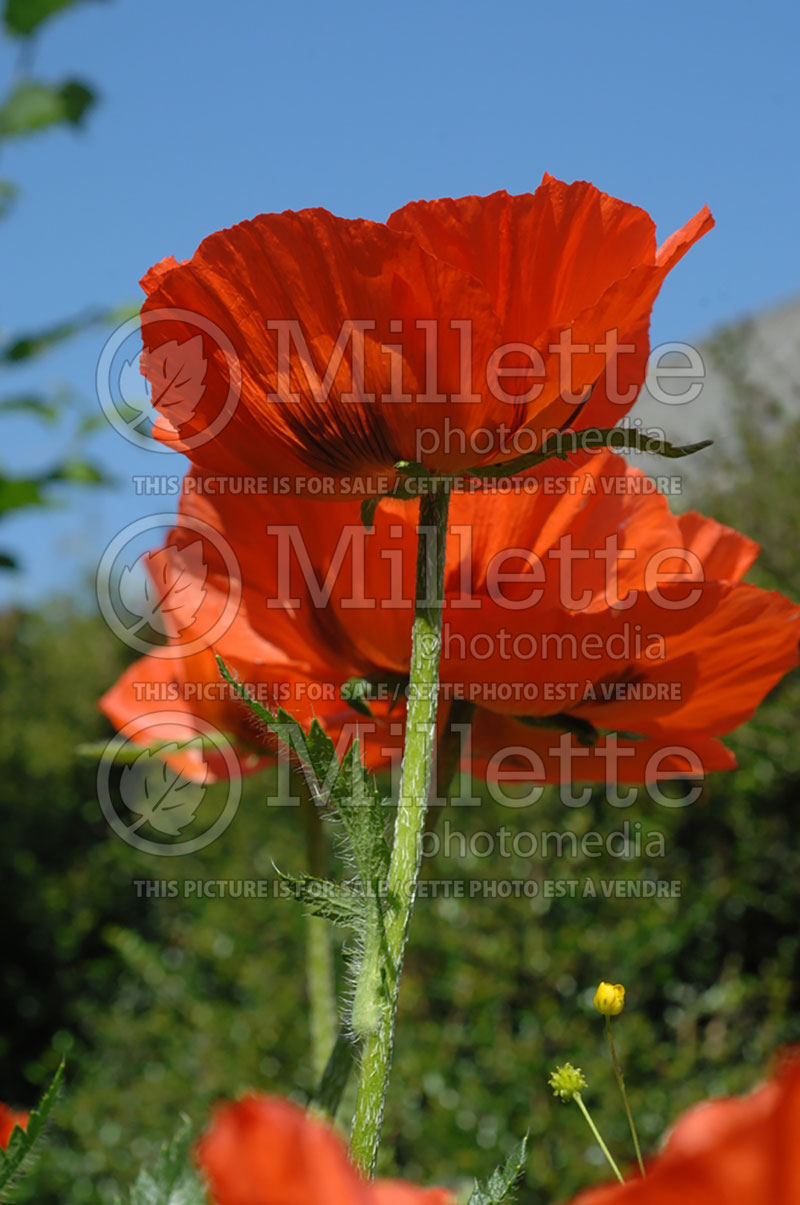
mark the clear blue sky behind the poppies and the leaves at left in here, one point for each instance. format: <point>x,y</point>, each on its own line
<point>213,113</point>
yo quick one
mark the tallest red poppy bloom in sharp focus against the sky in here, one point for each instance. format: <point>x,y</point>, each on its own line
<point>456,334</point>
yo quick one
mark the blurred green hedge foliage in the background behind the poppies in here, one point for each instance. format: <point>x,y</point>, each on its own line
<point>164,1006</point>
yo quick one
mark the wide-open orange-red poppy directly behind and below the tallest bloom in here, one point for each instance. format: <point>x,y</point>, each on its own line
<point>597,636</point>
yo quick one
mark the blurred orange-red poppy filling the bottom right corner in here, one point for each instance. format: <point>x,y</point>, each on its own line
<point>733,1151</point>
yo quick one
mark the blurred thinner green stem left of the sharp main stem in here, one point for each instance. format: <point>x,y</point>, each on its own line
<point>321,983</point>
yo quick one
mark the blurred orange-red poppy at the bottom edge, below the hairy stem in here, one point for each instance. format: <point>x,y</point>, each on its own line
<point>266,1151</point>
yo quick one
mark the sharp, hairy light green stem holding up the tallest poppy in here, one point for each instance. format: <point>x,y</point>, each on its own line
<point>410,824</point>
